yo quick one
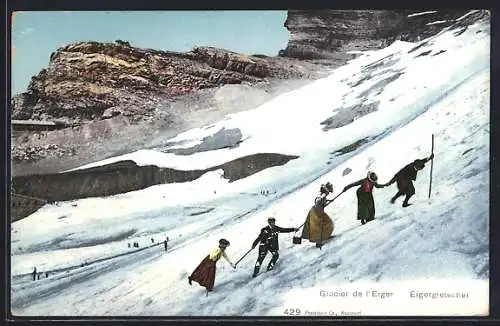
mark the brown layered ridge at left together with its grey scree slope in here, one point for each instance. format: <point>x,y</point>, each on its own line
<point>115,97</point>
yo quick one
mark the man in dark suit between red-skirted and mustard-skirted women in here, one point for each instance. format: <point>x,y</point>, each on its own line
<point>268,239</point>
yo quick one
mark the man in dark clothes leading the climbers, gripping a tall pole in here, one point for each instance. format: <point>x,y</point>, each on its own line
<point>404,179</point>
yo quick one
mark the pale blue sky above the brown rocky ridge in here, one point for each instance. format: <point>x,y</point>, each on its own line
<point>35,35</point>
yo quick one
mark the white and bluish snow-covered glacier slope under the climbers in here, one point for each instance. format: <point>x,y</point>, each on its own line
<point>438,86</point>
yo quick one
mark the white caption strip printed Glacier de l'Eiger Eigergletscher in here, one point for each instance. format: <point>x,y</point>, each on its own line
<point>399,298</point>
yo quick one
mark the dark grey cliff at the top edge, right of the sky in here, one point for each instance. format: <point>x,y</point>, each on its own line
<point>331,34</point>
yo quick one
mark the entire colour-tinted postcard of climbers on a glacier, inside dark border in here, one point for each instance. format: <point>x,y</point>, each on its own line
<point>323,164</point>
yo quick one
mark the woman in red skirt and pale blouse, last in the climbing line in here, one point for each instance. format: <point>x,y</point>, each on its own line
<point>204,274</point>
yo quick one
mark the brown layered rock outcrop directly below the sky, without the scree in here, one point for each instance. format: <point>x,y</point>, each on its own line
<point>86,81</point>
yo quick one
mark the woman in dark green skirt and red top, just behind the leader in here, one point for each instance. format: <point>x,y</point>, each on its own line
<point>366,205</point>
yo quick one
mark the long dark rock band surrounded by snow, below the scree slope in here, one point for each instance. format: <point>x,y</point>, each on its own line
<point>121,177</point>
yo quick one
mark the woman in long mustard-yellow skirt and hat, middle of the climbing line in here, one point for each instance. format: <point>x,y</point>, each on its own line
<point>318,226</point>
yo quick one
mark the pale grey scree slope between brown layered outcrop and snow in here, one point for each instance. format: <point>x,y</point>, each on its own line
<point>64,149</point>
